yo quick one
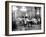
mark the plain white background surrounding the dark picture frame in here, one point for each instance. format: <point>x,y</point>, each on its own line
<point>2,18</point>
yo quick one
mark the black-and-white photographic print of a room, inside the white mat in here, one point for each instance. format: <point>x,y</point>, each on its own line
<point>26,18</point>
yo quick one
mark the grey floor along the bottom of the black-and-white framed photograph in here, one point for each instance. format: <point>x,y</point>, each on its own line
<point>34,27</point>
